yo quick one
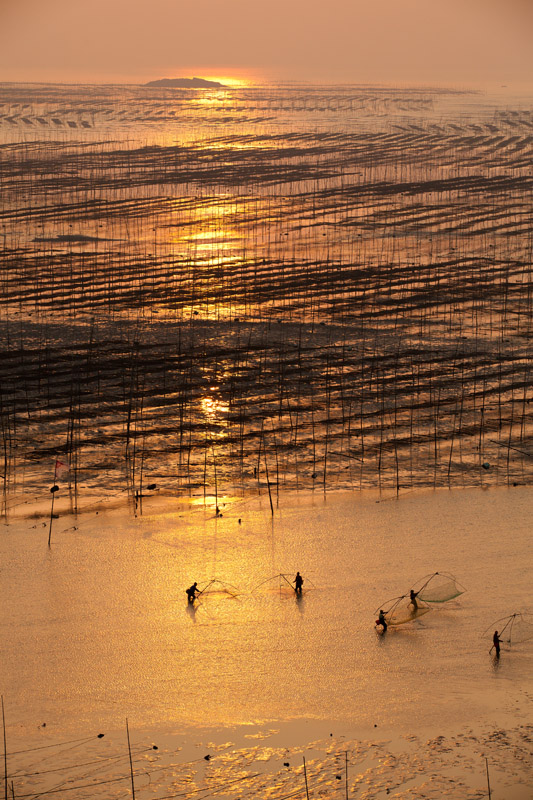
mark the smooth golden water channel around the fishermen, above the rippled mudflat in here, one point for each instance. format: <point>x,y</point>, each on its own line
<point>97,628</point>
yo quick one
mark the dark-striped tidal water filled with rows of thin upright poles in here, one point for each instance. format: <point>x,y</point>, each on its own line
<point>294,285</point>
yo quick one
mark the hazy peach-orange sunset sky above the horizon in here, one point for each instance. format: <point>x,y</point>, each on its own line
<point>466,42</point>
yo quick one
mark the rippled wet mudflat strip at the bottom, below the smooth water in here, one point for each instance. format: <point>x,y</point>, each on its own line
<point>268,761</point>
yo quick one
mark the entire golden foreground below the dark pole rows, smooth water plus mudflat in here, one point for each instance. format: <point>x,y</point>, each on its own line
<point>97,629</point>
